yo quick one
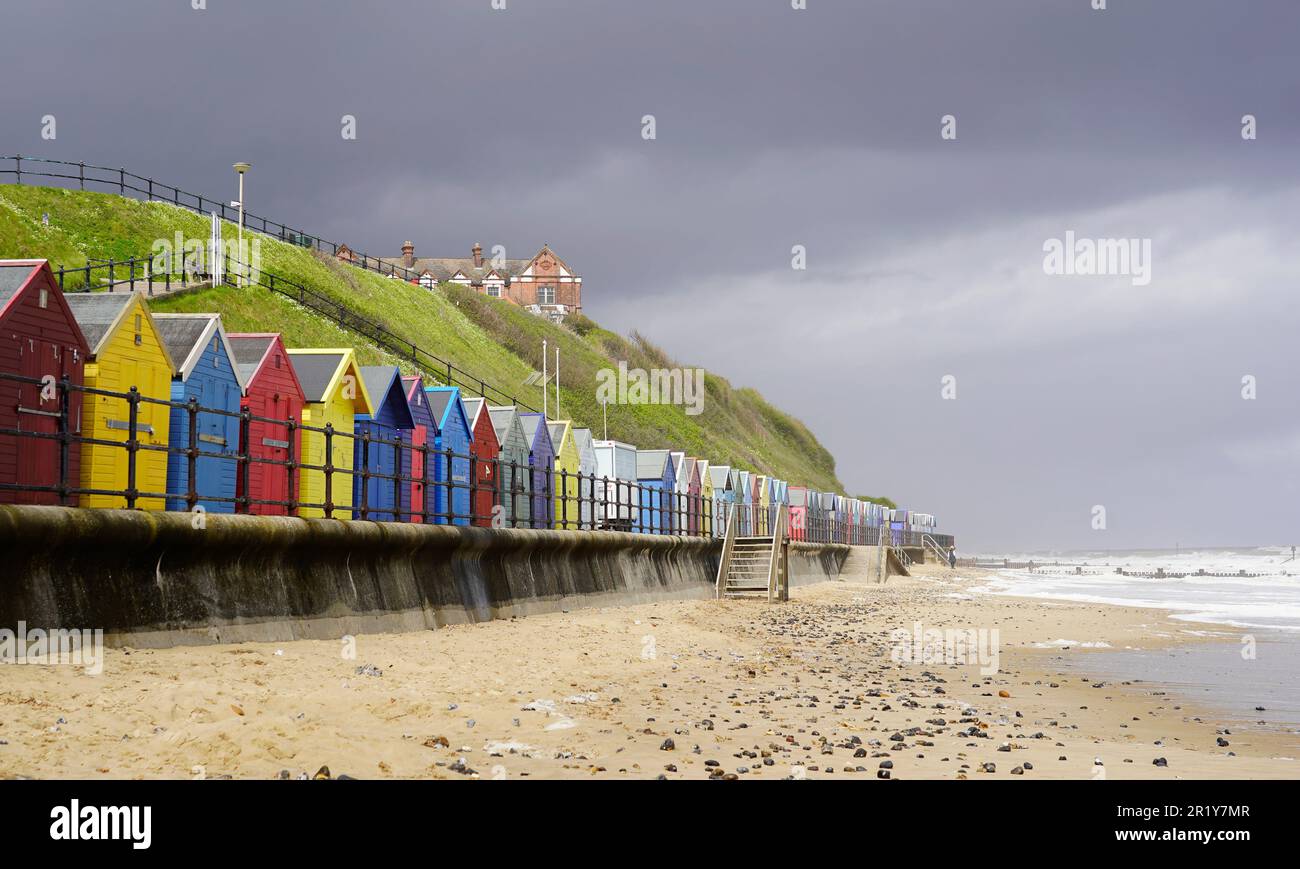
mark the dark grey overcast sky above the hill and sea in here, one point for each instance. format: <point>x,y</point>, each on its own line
<point>779,128</point>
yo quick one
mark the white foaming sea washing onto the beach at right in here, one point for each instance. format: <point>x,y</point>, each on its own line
<point>1246,603</point>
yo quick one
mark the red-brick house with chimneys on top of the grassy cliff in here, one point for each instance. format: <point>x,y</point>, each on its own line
<point>544,284</point>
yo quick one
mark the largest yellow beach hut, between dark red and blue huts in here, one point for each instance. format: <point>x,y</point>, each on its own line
<point>125,351</point>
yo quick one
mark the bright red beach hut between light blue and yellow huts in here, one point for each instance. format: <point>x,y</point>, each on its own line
<point>271,391</point>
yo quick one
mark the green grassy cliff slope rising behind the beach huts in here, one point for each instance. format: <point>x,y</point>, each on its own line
<point>495,340</point>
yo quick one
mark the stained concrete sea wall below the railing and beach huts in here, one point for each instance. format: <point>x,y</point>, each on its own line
<point>153,580</point>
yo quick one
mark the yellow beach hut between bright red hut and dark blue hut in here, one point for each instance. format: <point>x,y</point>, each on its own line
<point>335,395</point>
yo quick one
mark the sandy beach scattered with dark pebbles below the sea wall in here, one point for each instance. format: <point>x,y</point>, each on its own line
<point>677,690</point>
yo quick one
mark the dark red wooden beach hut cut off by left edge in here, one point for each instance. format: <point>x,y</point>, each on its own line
<point>38,338</point>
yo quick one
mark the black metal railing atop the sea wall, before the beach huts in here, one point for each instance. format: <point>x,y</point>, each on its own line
<point>389,478</point>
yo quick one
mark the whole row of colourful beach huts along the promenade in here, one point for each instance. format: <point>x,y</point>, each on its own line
<point>241,423</point>
